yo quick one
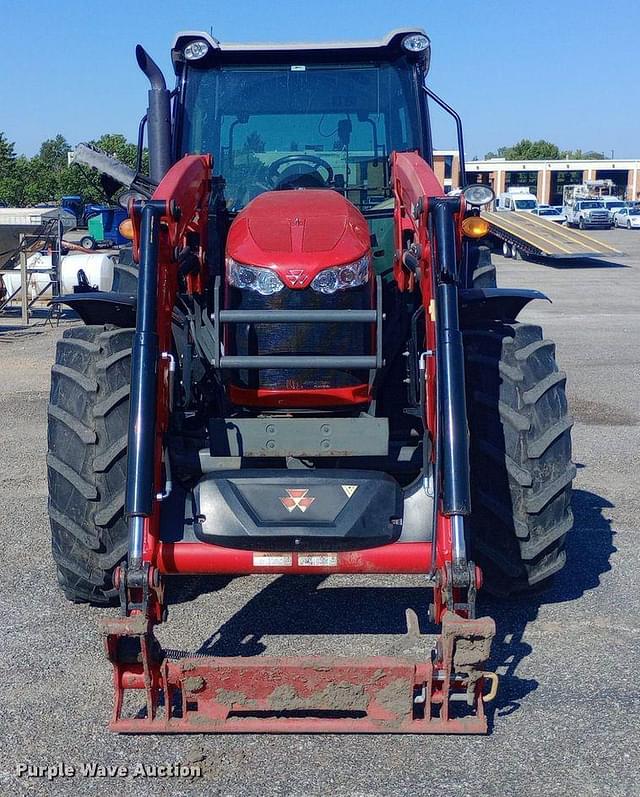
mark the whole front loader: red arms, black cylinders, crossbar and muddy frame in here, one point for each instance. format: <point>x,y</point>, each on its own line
<point>376,694</point>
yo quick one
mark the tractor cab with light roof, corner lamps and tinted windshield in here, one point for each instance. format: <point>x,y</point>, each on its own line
<point>282,117</point>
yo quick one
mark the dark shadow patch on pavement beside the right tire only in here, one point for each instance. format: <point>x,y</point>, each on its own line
<point>589,547</point>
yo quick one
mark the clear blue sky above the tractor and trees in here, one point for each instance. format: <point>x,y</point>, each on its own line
<point>564,70</point>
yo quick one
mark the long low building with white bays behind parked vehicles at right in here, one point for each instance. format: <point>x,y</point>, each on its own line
<point>543,178</point>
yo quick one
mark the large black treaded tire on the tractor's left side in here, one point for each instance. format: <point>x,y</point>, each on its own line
<point>86,463</point>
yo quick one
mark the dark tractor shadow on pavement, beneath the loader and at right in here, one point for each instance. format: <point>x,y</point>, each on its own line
<point>299,606</point>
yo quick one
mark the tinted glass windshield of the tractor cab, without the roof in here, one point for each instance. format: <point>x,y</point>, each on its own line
<point>300,126</point>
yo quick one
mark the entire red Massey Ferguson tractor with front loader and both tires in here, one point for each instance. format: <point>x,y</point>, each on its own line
<point>317,375</point>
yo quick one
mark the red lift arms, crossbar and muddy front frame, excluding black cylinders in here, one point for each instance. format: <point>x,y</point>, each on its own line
<point>444,692</point>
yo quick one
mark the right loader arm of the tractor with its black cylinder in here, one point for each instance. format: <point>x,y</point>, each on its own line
<point>429,258</point>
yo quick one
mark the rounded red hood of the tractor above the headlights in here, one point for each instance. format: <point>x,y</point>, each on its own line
<point>304,229</point>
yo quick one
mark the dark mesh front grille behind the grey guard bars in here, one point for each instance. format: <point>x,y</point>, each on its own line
<point>299,339</point>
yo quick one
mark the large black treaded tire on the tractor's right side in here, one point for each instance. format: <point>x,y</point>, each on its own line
<point>520,451</point>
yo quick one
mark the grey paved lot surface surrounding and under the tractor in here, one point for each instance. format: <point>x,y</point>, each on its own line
<point>567,718</point>
